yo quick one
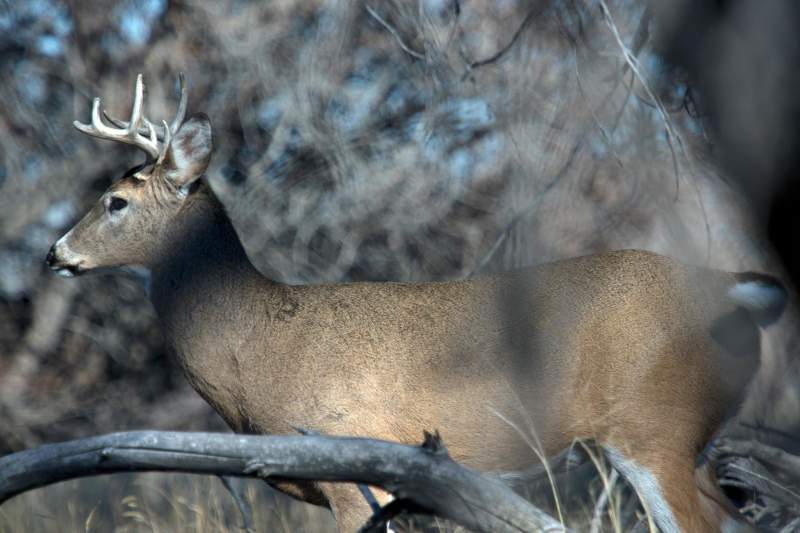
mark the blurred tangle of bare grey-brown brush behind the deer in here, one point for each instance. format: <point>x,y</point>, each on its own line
<point>396,140</point>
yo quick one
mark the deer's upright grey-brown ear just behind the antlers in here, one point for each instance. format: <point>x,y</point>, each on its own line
<point>189,151</point>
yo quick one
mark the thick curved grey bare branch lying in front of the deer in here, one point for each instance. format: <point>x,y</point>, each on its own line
<point>424,476</point>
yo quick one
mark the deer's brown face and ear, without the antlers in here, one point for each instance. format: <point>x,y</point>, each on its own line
<point>130,223</point>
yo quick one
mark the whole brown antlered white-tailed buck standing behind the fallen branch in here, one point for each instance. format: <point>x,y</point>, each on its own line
<point>644,355</point>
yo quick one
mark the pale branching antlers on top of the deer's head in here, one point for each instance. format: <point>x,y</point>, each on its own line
<point>139,131</point>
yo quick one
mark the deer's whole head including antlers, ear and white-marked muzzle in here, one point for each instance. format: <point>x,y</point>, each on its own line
<point>127,225</point>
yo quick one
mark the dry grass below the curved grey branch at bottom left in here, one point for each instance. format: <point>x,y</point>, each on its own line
<point>156,503</point>
